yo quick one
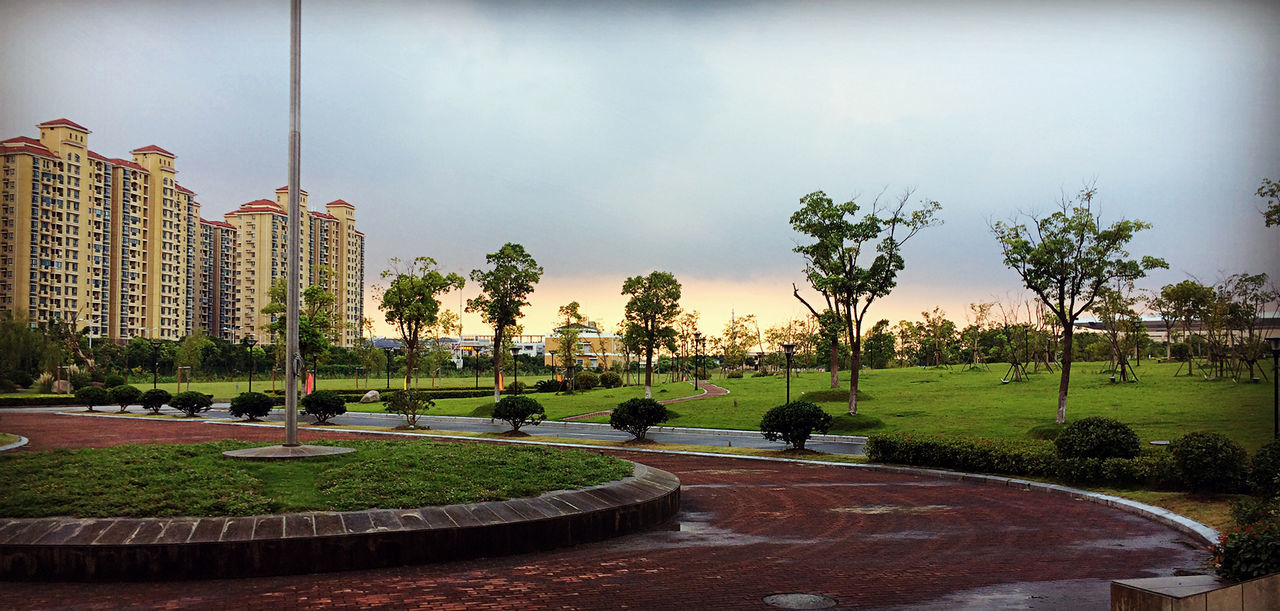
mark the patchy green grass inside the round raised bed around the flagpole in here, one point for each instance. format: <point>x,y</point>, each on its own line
<point>198,481</point>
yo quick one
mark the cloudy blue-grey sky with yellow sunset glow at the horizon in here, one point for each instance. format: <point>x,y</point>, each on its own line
<point>618,139</point>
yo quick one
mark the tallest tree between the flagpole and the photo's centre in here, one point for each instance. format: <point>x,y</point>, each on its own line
<point>504,293</point>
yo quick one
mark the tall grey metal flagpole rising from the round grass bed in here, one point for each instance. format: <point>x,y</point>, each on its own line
<point>291,344</point>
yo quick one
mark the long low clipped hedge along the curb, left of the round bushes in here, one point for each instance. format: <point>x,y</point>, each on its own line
<point>1000,457</point>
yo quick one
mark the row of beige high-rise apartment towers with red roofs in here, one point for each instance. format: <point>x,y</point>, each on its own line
<point>121,248</point>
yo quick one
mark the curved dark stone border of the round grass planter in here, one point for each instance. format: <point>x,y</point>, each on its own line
<point>121,549</point>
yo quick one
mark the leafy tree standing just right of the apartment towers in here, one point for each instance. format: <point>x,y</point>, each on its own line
<point>410,303</point>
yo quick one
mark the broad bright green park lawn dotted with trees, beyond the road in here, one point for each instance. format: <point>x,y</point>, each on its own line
<point>956,402</point>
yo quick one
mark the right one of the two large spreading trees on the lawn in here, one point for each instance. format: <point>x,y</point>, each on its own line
<point>1066,259</point>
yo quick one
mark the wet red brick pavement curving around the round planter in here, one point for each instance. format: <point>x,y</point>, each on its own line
<point>748,530</point>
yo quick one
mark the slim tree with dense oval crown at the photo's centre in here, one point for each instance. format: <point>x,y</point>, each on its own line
<point>651,312</point>
